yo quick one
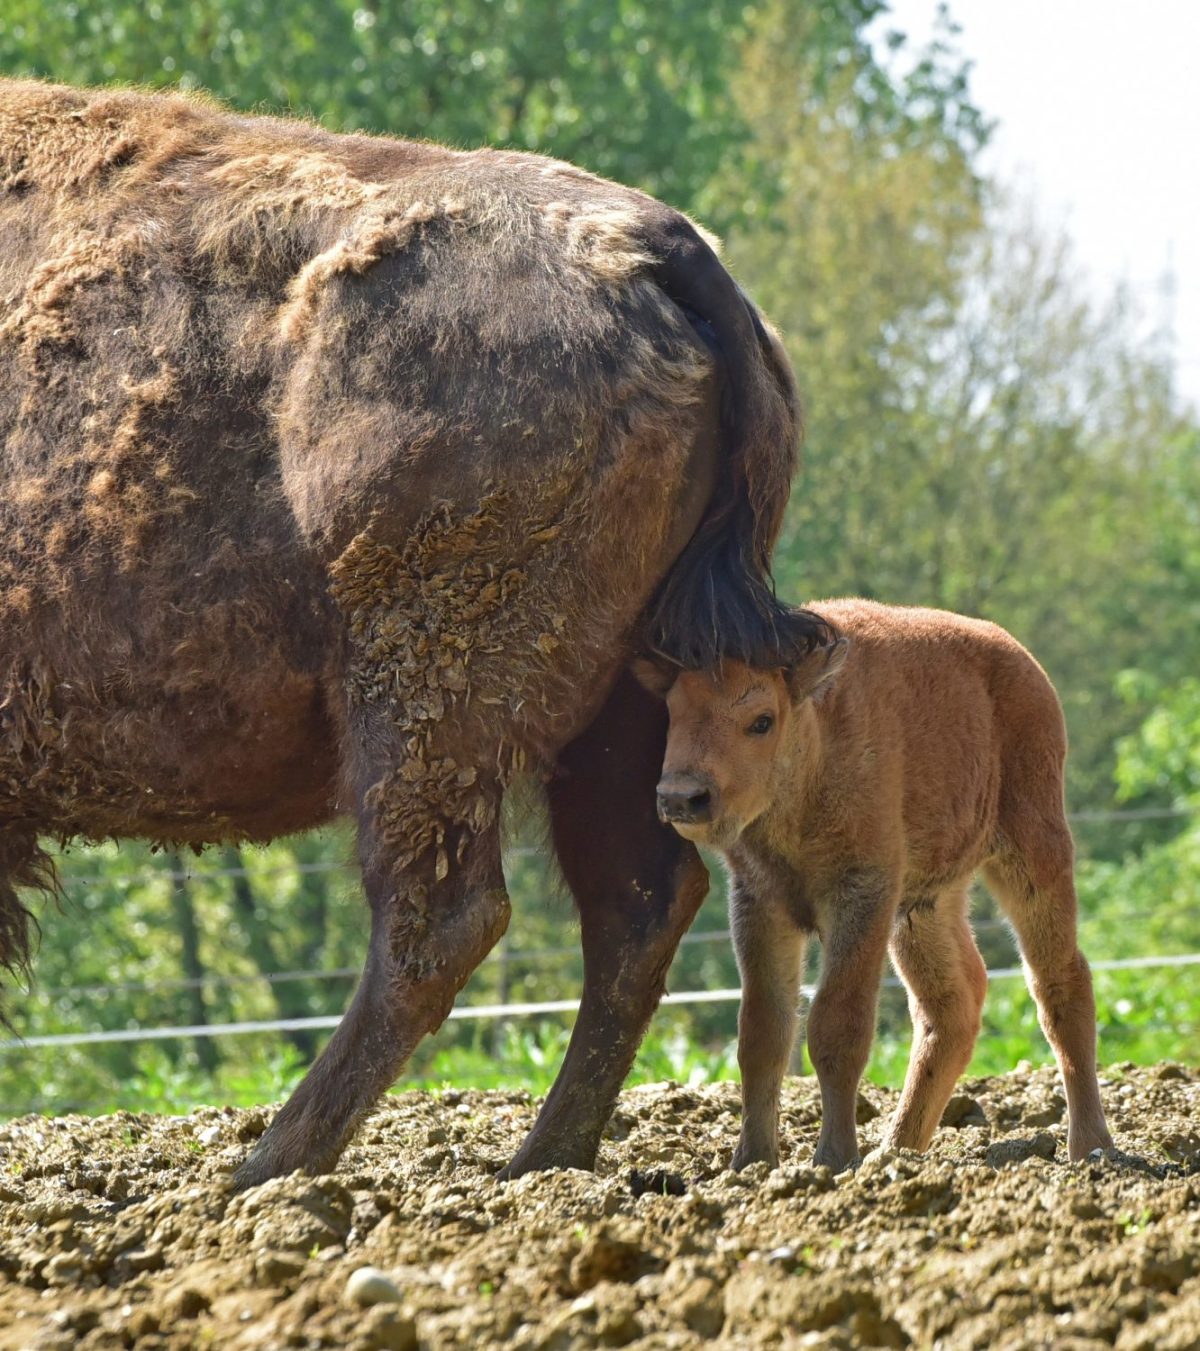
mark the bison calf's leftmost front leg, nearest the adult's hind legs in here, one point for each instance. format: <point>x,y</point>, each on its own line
<point>771,959</point>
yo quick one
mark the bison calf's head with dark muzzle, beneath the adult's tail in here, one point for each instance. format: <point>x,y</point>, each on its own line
<point>733,741</point>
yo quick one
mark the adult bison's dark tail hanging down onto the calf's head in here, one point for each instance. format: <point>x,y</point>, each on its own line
<point>718,601</point>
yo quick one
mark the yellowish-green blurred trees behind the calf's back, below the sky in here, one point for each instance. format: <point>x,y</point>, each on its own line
<point>982,436</point>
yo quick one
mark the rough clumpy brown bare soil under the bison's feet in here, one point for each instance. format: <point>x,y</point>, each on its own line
<point>124,1231</point>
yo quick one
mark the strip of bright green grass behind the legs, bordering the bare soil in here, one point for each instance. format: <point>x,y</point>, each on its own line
<point>1144,1017</point>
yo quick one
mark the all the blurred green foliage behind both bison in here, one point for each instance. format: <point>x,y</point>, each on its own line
<point>984,434</point>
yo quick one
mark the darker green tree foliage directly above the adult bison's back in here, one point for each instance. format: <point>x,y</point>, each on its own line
<point>629,88</point>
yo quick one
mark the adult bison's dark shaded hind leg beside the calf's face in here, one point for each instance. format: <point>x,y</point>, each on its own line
<point>639,887</point>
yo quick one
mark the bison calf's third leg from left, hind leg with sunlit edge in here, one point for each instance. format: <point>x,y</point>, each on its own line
<point>936,954</point>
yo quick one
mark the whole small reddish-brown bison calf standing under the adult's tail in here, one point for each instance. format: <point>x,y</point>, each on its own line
<point>856,795</point>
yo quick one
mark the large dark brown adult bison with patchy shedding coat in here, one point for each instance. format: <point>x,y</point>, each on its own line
<point>340,475</point>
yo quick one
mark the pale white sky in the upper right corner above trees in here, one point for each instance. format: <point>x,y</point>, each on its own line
<point>1098,122</point>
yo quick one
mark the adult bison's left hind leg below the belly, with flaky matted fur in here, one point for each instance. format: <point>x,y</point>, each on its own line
<point>433,922</point>
